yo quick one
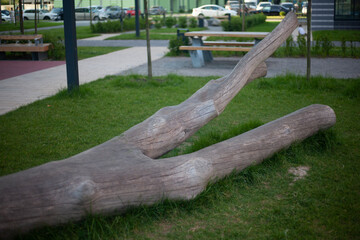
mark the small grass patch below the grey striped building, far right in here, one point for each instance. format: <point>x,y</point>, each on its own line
<point>338,35</point>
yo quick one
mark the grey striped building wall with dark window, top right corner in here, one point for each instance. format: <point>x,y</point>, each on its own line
<point>335,14</point>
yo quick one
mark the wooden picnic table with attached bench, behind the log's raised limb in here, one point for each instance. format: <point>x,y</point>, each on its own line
<point>200,51</point>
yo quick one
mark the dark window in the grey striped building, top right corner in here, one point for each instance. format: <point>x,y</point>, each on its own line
<point>347,9</point>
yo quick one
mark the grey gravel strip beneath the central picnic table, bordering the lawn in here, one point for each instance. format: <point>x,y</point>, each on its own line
<point>330,67</point>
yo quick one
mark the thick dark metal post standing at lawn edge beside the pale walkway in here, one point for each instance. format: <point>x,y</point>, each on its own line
<point>70,45</point>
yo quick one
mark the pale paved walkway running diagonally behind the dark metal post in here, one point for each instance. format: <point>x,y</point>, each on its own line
<point>30,87</point>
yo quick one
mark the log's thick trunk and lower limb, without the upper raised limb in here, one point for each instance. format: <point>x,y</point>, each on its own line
<point>116,175</point>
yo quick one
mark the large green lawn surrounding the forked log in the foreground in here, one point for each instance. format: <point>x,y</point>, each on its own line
<point>261,202</point>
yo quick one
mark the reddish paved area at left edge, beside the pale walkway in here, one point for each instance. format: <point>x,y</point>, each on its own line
<point>10,69</point>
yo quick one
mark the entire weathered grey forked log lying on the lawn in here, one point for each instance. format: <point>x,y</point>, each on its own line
<point>122,172</point>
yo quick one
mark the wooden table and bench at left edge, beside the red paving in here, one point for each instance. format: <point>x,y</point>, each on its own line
<point>34,45</point>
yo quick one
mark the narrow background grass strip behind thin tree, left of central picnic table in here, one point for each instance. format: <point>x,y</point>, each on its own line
<point>155,34</point>
